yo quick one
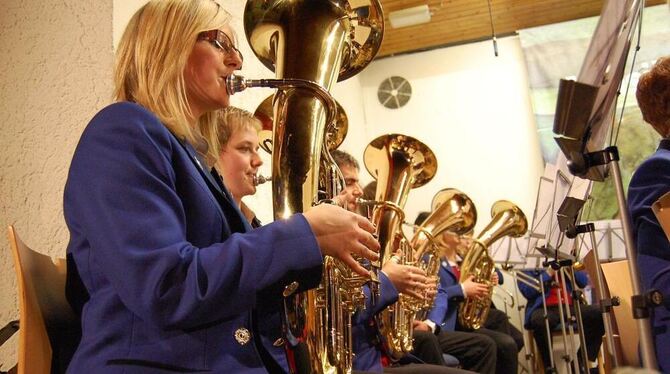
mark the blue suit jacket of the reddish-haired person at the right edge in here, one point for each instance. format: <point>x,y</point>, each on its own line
<point>650,181</point>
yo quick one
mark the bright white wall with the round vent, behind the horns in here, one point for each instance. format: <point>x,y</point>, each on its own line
<point>471,108</point>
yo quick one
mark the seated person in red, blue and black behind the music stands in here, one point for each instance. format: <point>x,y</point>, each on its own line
<point>534,321</point>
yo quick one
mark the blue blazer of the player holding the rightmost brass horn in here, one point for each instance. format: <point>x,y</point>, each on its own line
<point>449,294</point>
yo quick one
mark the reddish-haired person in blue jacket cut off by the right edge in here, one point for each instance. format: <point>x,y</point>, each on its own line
<point>650,181</point>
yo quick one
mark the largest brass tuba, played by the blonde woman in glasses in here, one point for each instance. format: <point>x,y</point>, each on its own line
<point>310,44</point>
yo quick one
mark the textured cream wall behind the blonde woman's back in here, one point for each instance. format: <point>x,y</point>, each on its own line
<point>55,69</point>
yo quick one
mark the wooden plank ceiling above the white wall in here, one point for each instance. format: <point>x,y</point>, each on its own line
<point>460,21</point>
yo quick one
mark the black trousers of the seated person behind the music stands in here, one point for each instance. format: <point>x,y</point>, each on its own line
<point>593,329</point>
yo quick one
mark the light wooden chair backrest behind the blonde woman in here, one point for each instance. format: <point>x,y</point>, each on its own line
<point>42,303</point>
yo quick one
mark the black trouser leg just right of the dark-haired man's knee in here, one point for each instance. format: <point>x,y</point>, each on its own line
<point>476,352</point>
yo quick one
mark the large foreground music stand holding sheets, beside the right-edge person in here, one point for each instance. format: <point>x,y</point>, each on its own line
<point>585,108</point>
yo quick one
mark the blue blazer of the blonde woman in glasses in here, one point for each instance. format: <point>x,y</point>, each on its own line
<point>172,270</point>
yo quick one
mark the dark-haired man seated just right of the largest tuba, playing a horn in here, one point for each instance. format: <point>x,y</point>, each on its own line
<point>366,343</point>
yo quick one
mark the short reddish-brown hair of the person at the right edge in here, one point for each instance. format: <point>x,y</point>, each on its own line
<point>653,96</point>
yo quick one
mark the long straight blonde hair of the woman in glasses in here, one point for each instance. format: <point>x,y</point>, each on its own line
<point>151,58</point>
